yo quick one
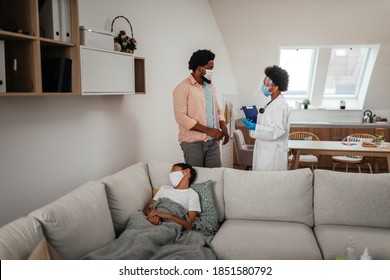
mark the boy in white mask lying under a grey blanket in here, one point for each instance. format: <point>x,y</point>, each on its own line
<point>163,229</point>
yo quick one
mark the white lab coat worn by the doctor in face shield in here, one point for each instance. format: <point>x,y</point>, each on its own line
<point>271,134</point>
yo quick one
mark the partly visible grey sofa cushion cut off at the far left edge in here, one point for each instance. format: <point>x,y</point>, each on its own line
<point>19,238</point>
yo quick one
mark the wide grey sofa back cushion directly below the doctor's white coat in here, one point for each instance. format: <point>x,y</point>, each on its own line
<point>269,195</point>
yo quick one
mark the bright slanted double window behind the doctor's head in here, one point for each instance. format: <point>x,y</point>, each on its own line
<point>327,74</point>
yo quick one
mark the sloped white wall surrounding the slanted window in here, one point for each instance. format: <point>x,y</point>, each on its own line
<point>253,30</point>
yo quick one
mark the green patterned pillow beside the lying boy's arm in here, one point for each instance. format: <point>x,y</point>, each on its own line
<point>207,202</point>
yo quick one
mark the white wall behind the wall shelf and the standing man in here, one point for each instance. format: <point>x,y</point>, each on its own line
<point>50,145</point>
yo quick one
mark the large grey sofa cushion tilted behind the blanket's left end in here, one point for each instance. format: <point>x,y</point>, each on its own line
<point>79,222</point>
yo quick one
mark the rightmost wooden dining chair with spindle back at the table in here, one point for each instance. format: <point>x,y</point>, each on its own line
<point>357,161</point>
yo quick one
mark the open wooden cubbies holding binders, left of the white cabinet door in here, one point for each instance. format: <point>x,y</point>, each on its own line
<point>29,50</point>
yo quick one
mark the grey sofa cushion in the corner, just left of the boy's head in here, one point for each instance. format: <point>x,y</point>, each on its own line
<point>127,191</point>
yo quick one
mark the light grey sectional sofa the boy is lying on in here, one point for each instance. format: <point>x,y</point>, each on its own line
<point>283,215</point>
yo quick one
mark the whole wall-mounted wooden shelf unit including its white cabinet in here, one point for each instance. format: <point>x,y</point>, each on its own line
<point>33,51</point>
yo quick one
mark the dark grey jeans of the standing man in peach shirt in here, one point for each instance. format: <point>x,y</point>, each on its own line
<point>202,154</point>
